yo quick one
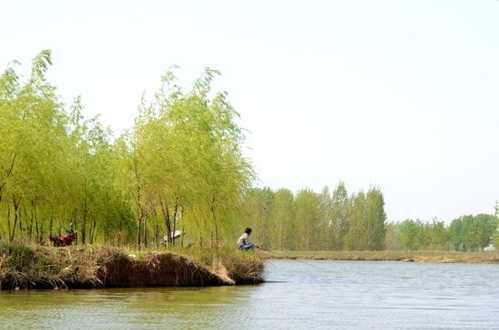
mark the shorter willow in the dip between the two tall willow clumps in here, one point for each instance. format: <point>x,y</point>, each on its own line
<point>96,203</point>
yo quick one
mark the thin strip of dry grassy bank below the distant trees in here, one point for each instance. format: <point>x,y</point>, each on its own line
<point>409,256</point>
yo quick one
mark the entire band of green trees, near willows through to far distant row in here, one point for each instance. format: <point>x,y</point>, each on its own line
<point>179,168</point>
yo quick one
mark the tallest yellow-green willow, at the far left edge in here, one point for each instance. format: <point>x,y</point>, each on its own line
<point>33,136</point>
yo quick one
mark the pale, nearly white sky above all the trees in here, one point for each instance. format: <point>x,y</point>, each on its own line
<point>399,95</point>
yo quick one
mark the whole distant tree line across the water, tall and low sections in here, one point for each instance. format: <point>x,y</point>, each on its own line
<point>339,221</point>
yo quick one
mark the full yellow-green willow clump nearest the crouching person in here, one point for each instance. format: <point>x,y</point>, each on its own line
<point>186,158</point>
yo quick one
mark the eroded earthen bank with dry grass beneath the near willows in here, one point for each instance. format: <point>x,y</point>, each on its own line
<point>38,267</point>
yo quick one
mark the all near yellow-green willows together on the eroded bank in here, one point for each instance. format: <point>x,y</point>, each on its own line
<point>180,167</point>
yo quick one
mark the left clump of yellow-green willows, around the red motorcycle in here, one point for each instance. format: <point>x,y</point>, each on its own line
<point>55,166</point>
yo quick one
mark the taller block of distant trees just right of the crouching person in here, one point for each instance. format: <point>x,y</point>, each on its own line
<point>316,221</point>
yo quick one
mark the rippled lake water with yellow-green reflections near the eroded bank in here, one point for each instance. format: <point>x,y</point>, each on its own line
<point>302,295</point>
